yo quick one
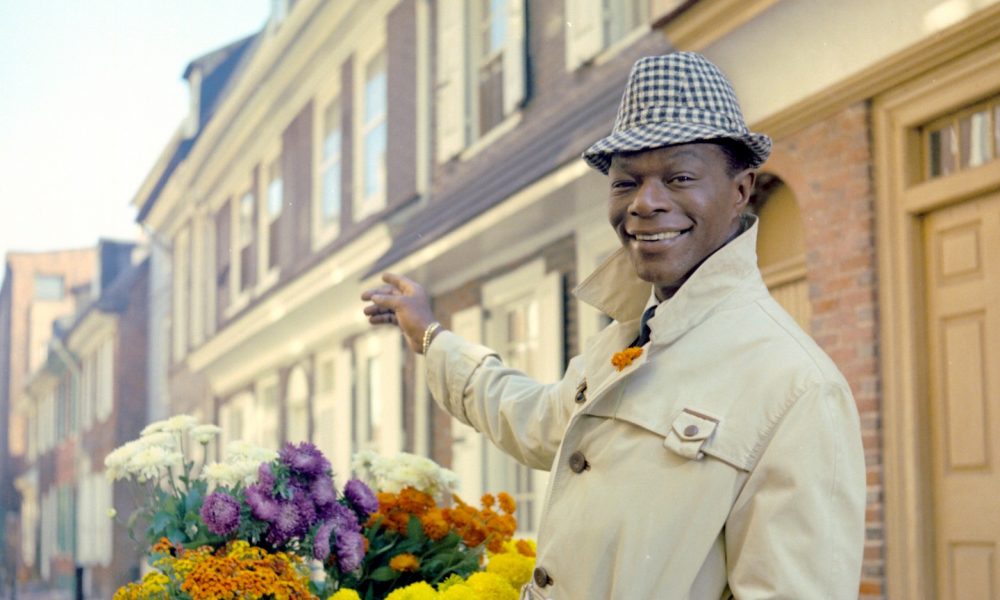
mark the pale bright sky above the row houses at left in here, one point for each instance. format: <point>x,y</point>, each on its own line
<point>91,91</point>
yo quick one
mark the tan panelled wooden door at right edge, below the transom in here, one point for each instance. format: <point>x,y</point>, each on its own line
<point>962,253</point>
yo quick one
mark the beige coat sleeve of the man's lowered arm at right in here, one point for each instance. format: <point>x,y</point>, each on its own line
<point>796,530</point>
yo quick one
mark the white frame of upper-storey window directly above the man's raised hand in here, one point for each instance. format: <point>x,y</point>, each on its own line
<point>362,205</point>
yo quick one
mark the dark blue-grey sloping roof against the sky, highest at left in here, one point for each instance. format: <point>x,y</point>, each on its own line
<point>219,69</point>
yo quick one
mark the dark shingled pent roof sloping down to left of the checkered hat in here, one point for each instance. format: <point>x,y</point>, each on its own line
<point>533,154</point>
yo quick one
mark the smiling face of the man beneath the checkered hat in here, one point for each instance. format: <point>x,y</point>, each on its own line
<point>672,207</point>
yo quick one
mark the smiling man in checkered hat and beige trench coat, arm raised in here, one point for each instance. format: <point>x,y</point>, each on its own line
<point>704,447</point>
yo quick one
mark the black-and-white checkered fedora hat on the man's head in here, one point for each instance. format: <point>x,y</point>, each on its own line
<point>676,98</point>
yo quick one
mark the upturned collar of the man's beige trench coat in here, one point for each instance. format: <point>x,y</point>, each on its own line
<point>615,289</point>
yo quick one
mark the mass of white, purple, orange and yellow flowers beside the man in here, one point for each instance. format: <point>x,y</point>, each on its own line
<point>265,524</point>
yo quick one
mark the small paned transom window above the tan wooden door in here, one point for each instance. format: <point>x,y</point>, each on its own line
<point>963,140</point>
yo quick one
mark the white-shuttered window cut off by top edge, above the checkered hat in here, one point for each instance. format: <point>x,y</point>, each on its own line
<point>595,25</point>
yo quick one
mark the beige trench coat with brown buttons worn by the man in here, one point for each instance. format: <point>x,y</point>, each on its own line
<point>726,461</point>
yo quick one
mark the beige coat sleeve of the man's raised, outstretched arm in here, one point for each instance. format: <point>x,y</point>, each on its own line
<point>523,417</point>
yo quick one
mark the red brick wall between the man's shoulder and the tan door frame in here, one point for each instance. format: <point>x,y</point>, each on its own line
<point>828,167</point>
